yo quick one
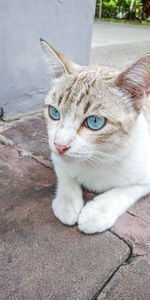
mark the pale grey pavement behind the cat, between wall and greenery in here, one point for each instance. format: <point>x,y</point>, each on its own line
<point>118,45</point>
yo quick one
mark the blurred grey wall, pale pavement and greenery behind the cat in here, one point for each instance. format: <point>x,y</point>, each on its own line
<point>105,32</point>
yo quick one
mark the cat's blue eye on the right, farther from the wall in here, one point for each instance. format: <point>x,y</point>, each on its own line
<point>95,123</point>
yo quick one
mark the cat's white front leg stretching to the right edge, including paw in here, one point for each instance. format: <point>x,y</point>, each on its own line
<point>102,212</point>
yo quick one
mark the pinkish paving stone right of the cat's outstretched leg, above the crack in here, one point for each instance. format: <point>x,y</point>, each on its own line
<point>134,226</point>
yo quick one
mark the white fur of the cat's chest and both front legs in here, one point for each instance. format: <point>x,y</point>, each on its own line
<point>125,182</point>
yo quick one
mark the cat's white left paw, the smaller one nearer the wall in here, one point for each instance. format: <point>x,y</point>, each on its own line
<point>67,211</point>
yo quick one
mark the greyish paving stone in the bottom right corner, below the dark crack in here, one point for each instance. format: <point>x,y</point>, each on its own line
<point>131,282</point>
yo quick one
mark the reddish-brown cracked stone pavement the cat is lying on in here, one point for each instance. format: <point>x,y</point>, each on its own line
<point>44,259</point>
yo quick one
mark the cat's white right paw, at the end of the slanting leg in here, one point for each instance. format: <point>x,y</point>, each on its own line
<point>95,217</point>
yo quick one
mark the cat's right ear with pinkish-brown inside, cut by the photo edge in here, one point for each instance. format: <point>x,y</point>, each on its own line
<point>135,80</point>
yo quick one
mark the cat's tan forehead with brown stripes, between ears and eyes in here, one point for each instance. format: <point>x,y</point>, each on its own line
<point>86,92</point>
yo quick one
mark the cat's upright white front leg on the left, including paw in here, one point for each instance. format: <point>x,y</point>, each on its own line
<point>68,202</point>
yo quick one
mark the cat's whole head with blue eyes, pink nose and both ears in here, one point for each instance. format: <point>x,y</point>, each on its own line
<point>90,111</point>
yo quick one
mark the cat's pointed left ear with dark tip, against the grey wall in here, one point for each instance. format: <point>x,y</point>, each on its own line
<point>57,64</point>
